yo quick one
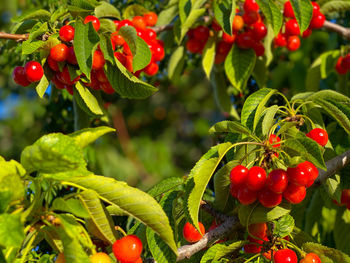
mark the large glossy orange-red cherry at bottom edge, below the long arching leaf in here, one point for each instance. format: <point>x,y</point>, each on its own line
<point>127,249</point>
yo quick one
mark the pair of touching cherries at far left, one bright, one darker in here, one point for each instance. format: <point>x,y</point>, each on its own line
<point>31,72</point>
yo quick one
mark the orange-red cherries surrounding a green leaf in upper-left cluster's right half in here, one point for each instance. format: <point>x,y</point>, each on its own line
<point>142,25</point>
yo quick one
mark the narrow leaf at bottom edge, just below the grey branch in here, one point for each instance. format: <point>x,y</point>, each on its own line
<point>218,251</point>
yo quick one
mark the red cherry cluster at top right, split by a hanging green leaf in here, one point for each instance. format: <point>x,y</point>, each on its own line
<point>290,36</point>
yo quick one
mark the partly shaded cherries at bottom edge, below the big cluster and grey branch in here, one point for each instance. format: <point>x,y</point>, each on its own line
<point>259,242</point>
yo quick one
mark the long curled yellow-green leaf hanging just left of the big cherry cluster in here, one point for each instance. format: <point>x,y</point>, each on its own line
<point>198,180</point>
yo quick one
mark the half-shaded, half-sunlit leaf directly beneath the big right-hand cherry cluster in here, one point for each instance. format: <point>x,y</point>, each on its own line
<point>256,213</point>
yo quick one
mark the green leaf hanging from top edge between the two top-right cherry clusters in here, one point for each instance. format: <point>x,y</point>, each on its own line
<point>272,13</point>
